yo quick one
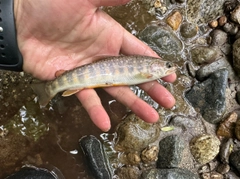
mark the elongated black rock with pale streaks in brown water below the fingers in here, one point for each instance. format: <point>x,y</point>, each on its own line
<point>96,157</point>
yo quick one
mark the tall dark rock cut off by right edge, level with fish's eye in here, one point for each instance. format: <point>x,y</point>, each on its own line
<point>236,56</point>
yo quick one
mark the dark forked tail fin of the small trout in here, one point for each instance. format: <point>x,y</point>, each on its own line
<point>43,96</point>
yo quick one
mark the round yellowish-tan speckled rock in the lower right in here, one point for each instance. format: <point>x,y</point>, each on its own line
<point>204,148</point>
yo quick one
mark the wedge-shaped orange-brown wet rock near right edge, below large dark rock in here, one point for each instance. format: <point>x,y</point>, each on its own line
<point>226,128</point>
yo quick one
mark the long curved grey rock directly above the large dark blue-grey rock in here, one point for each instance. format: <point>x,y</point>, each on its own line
<point>208,69</point>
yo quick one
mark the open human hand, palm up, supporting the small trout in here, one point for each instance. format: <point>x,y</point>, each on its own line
<point>63,34</point>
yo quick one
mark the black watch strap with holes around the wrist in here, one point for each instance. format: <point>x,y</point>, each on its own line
<point>10,57</point>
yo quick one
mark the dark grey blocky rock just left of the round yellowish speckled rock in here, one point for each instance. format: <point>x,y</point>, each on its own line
<point>170,152</point>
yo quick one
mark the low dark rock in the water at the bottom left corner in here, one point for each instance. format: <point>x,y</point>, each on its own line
<point>33,173</point>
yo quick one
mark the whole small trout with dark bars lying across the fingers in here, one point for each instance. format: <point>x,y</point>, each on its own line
<point>112,71</point>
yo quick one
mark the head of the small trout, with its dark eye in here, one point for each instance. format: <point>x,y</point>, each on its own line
<point>162,68</point>
